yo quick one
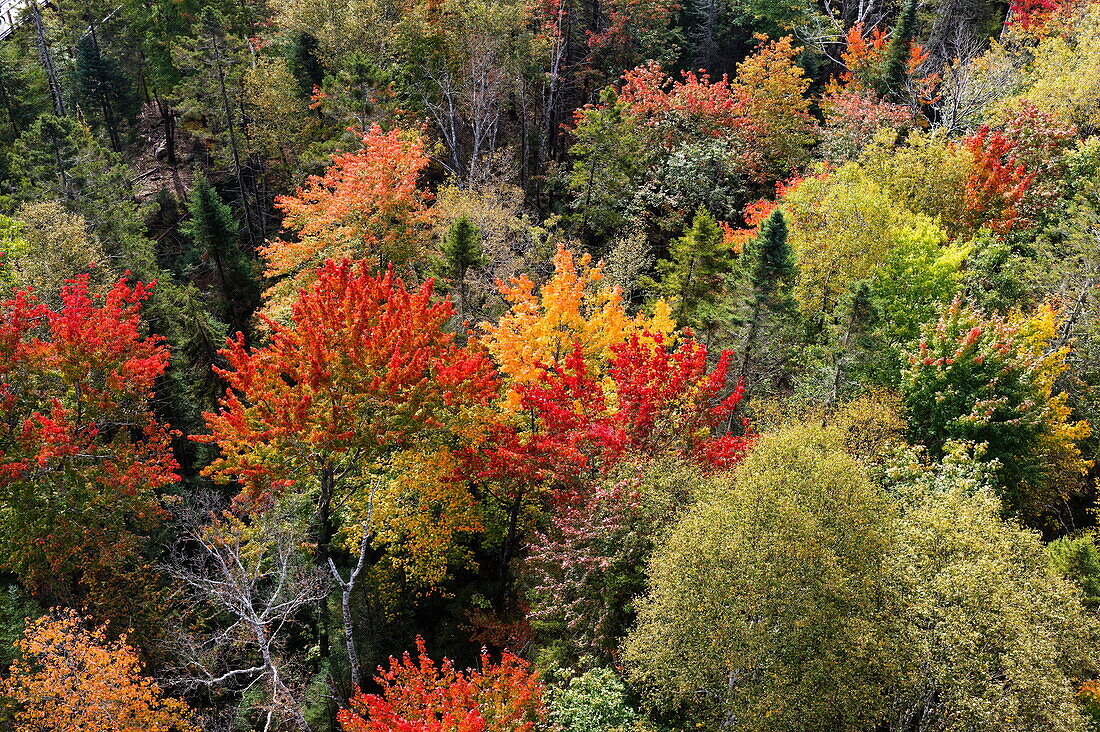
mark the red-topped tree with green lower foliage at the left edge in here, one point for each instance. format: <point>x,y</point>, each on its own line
<point>83,458</point>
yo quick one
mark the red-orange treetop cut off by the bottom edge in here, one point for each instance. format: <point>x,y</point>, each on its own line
<point>421,696</point>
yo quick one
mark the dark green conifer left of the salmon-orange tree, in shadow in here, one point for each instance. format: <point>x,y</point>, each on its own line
<point>215,233</point>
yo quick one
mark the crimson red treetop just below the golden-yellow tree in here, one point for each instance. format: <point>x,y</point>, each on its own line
<point>661,400</point>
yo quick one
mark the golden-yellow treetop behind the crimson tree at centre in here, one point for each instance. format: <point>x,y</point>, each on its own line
<point>573,309</point>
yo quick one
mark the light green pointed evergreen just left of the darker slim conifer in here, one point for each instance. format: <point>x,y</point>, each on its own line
<point>696,276</point>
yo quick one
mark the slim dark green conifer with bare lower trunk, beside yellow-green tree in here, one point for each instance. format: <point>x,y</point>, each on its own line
<point>769,267</point>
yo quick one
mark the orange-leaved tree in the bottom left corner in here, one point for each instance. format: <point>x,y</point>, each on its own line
<point>71,678</point>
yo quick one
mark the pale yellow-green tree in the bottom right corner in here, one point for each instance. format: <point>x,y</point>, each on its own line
<point>1000,640</point>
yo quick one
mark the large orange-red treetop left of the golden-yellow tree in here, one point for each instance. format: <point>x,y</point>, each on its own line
<point>364,365</point>
